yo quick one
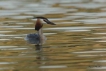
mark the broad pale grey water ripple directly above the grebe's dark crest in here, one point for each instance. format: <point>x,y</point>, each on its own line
<point>42,11</point>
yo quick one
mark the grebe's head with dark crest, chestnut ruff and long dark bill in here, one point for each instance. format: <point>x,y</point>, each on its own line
<point>39,24</point>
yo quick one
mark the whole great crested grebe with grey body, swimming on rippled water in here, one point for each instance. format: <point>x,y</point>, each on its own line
<point>38,38</point>
